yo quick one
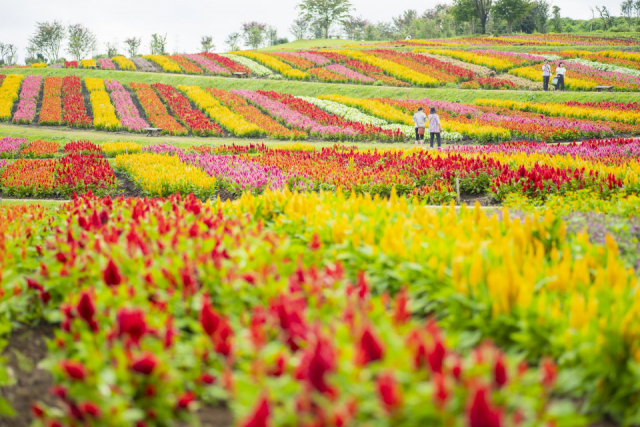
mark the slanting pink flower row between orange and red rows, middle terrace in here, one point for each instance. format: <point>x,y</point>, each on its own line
<point>291,117</point>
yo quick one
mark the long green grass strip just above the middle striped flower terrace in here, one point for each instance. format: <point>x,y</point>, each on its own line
<point>315,89</point>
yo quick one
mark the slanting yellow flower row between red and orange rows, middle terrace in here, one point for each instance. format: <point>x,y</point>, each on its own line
<point>230,121</point>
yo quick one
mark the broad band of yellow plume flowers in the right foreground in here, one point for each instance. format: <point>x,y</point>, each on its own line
<point>572,298</point>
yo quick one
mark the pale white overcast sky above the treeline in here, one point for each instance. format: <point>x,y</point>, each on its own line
<point>184,21</point>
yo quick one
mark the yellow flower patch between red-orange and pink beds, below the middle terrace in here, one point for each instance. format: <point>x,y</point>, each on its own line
<point>164,175</point>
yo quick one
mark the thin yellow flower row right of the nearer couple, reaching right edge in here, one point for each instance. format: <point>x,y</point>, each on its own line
<point>562,110</point>
